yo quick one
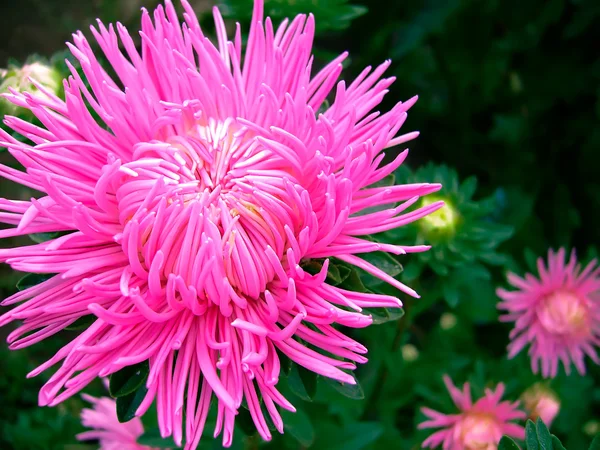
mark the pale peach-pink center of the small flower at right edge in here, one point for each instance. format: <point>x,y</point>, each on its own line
<point>563,313</point>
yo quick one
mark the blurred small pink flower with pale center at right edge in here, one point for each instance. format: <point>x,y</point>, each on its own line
<point>558,314</point>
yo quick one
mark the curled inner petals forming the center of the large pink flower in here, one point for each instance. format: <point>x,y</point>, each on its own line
<point>209,214</point>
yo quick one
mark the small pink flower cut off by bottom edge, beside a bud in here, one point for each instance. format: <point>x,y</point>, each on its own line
<point>478,426</point>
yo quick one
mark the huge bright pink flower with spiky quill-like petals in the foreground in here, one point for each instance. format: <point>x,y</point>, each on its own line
<point>189,189</point>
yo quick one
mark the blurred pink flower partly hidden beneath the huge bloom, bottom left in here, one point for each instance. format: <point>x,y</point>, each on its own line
<point>112,434</point>
